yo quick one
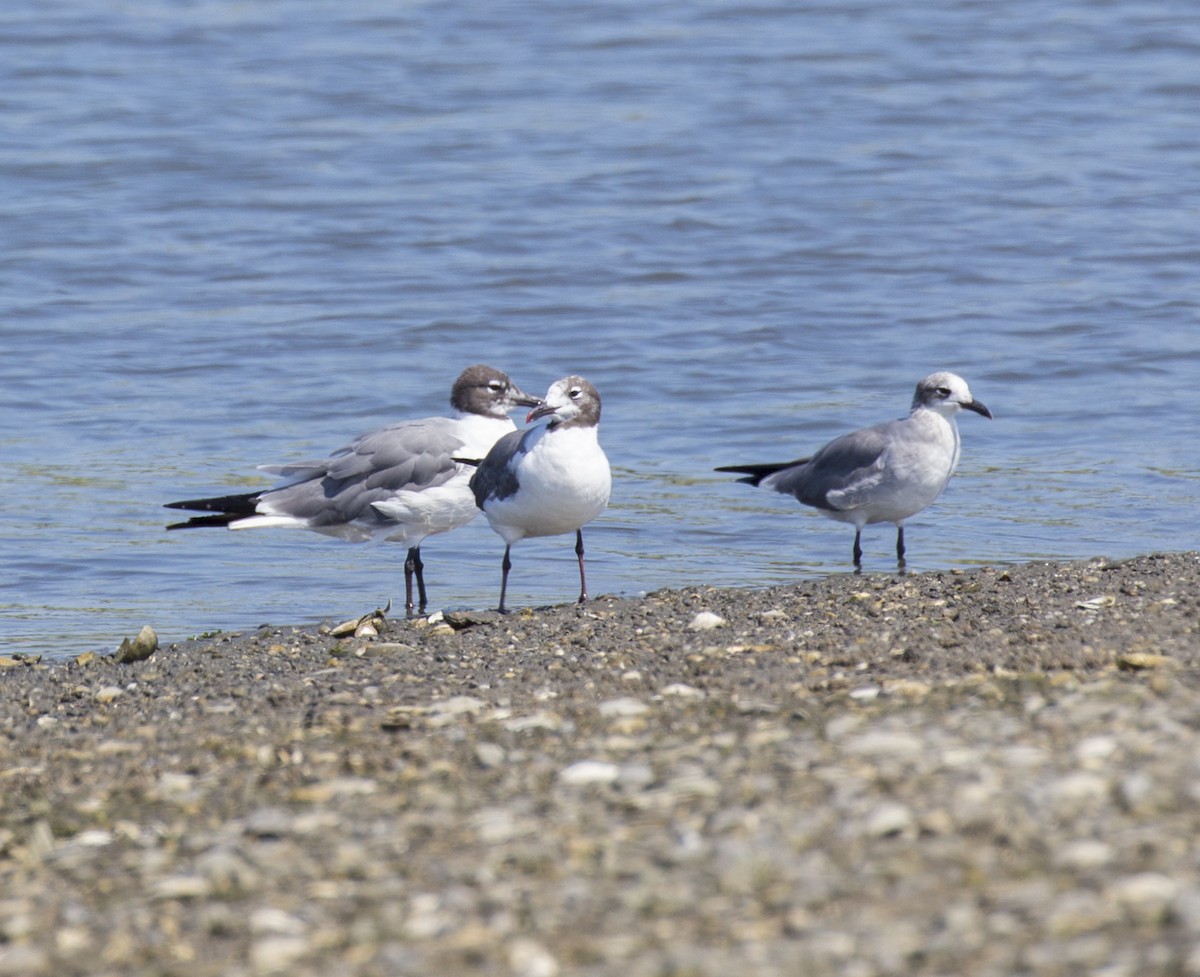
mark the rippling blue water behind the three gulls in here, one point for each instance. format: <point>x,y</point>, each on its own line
<point>237,235</point>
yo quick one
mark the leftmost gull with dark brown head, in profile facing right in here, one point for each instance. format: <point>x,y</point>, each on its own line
<point>400,483</point>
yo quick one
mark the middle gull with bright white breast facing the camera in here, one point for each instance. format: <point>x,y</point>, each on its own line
<point>549,479</point>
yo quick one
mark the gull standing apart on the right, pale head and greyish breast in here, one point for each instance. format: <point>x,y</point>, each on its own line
<point>885,473</point>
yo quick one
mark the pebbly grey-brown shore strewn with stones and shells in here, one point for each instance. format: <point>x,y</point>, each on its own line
<point>993,772</point>
